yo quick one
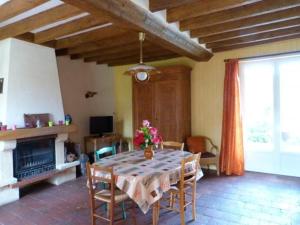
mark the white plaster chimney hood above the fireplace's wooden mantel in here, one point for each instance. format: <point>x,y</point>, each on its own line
<point>32,84</point>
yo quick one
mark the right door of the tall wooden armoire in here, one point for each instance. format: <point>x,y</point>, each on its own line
<point>165,98</point>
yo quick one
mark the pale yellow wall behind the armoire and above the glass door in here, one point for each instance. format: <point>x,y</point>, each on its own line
<point>206,89</point>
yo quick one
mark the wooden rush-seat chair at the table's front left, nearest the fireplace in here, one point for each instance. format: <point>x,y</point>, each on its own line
<point>110,196</point>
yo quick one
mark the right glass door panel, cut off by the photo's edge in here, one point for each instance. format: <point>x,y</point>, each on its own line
<point>289,70</point>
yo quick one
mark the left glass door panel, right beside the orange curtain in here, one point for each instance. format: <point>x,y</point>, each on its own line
<point>257,85</point>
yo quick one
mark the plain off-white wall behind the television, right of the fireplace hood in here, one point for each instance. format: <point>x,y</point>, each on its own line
<point>76,78</point>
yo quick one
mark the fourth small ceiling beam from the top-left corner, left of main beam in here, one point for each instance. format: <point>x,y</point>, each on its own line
<point>90,36</point>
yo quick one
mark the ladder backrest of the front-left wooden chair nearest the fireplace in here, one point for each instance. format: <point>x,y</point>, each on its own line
<point>97,174</point>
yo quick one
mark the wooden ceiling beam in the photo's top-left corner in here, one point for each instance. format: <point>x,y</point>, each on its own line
<point>15,7</point>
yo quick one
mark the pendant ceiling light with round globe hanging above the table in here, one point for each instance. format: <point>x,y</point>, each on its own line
<point>141,71</point>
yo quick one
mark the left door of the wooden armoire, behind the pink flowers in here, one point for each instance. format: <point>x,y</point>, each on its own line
<point>142,104</point>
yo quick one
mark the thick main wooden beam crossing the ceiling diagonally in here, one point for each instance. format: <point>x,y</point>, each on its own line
<point>143,20</point>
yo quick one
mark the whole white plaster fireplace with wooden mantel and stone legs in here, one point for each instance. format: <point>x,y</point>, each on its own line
<point>31,86</point>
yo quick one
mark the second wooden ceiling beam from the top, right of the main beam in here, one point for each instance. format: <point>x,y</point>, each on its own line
<point>203,7</point>
